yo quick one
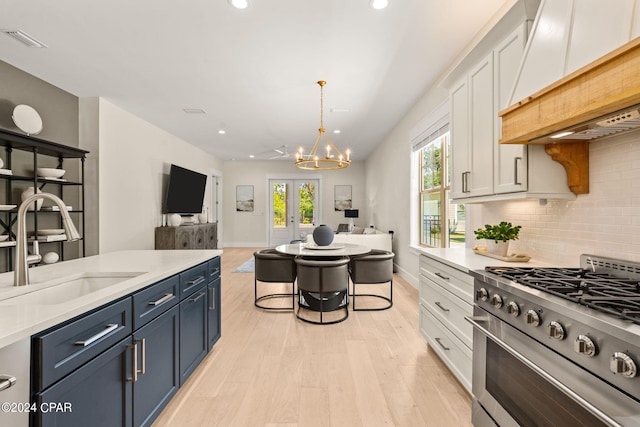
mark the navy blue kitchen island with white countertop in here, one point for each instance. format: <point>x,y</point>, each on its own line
<point>112,336</point>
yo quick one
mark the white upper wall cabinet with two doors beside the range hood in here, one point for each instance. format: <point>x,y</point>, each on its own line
<point>482,169</point>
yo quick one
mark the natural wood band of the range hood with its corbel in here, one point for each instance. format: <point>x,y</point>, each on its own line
<point>599,100</point>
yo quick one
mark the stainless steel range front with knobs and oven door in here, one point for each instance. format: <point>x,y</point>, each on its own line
<point>539,360</point>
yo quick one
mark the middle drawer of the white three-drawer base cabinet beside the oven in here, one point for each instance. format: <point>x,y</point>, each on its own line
<point>448,309</point>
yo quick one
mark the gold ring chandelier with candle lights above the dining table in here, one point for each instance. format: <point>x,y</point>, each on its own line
<point>329,158</point>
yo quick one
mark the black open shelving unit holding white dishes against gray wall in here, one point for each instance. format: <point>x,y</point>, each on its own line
<point>36,147</point>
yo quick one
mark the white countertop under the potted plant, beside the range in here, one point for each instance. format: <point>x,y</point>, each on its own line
<point>465,259</point>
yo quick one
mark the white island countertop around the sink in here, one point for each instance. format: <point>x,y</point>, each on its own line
<point>19,319</point>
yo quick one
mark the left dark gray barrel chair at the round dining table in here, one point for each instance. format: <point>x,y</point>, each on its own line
<point>273,267</point>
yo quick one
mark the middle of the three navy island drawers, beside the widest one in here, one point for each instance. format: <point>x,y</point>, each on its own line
<point>155,300</point>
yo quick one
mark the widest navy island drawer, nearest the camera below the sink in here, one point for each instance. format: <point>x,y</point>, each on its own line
<point>68,347</point>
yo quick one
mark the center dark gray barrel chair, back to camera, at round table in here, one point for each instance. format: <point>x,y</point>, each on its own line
<point>323,286</point>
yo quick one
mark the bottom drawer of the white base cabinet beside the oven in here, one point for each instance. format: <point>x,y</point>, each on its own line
<point>451,350</point>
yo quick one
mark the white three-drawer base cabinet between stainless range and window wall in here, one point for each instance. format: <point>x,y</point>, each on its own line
<point>446,297</point>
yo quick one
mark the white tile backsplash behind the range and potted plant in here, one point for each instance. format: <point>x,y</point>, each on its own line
<point>604,222</point>
